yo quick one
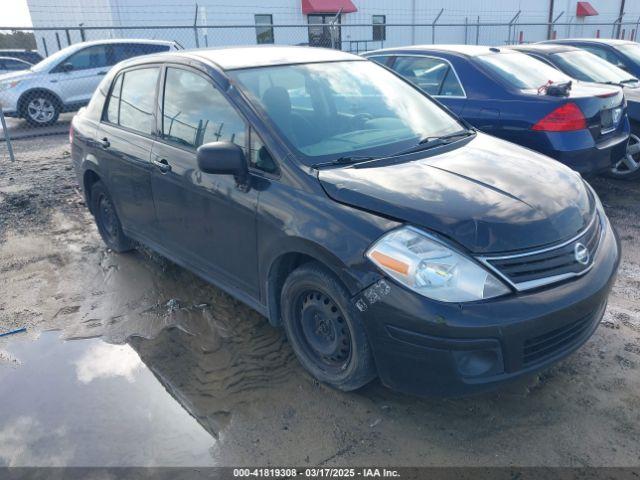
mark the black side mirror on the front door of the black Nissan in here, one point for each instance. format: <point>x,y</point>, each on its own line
<point>223,158</point>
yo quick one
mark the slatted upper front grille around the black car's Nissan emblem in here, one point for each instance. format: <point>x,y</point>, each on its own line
<point>539,268</point>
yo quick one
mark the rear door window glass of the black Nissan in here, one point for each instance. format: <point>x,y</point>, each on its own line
<point>132,100</point>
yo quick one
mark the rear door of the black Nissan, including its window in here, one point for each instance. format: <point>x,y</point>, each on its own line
<point>125,141</point>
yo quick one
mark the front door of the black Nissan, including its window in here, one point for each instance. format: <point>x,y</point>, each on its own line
<point>207,220</point>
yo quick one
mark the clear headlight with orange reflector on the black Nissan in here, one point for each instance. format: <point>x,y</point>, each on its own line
<point>432,269</point>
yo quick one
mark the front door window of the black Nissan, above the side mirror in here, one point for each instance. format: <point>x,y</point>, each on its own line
<point>195,112</point>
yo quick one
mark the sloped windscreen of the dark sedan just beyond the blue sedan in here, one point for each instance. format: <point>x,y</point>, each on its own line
<point>588,67</point>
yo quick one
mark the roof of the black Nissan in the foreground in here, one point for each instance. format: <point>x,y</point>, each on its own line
<point>232,58</point>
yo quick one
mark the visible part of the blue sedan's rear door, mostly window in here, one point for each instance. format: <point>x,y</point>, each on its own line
<point>433,75</point>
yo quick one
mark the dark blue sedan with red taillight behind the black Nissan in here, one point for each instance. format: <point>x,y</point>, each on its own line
<point>518,98</point>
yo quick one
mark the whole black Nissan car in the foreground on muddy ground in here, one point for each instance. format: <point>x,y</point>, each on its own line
<point>386,236</point>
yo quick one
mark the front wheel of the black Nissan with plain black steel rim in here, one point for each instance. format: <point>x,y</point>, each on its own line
<point>324,328</point>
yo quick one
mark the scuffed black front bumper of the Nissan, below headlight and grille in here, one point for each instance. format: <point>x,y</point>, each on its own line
<point>425,347</point>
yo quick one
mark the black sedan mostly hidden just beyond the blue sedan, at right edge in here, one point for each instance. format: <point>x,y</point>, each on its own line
<point>587,67</point>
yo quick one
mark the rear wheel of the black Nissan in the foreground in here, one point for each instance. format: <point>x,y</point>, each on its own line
<point>107,220</point>
